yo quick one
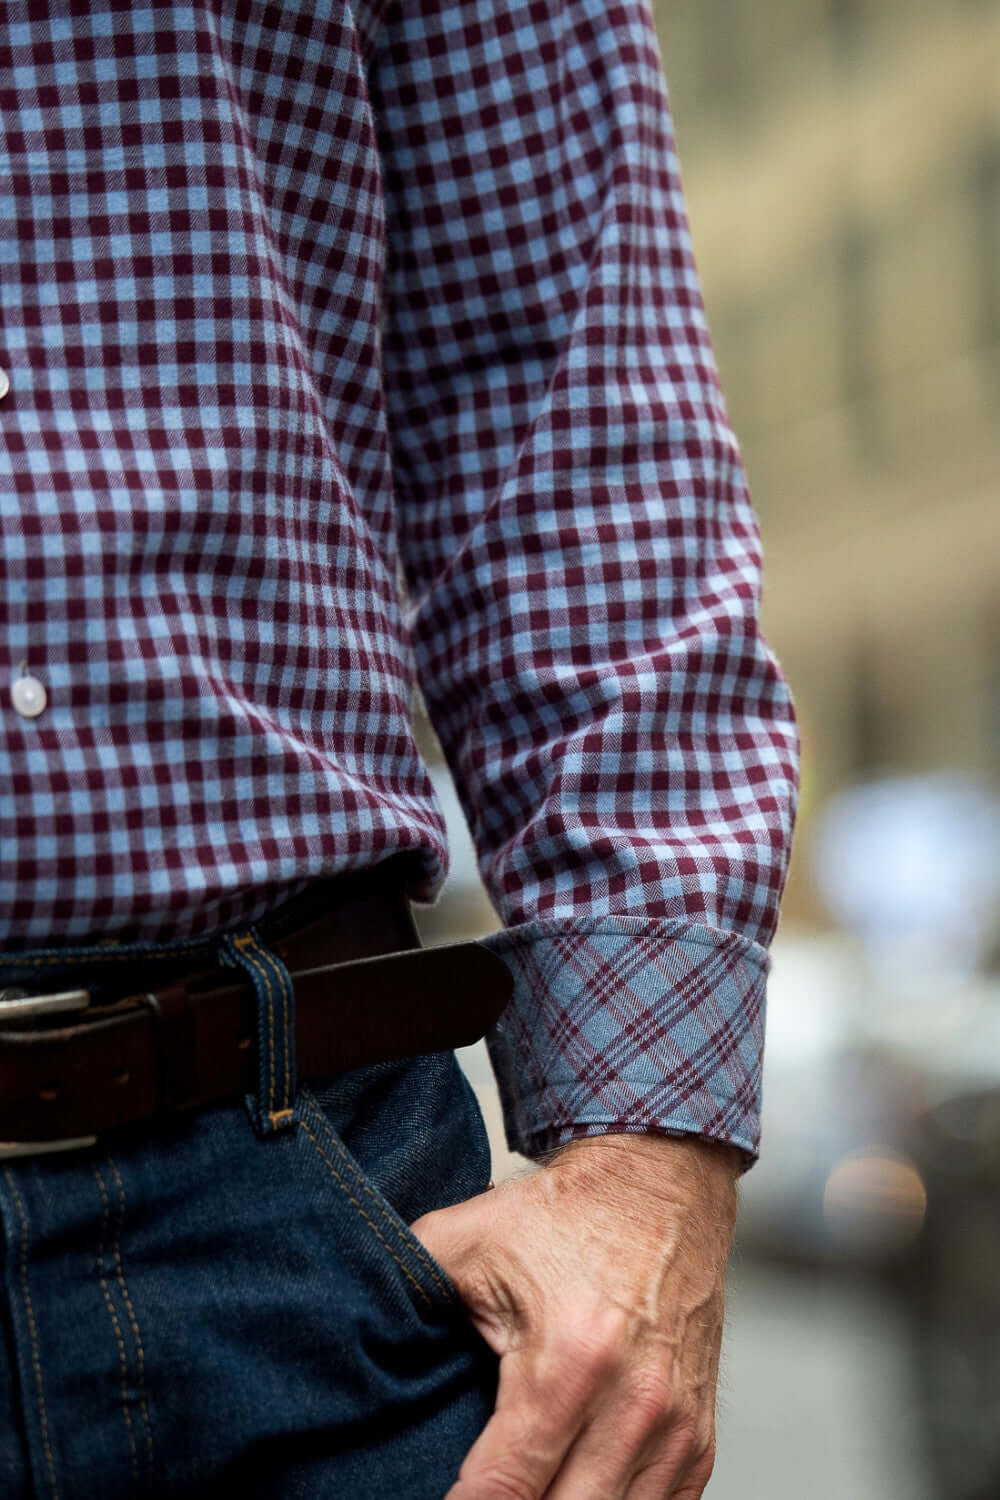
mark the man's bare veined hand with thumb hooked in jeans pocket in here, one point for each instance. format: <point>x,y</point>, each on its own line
<point>599,1282</point>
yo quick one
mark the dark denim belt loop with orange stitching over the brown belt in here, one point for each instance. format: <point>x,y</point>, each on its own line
<point>274,1108</point>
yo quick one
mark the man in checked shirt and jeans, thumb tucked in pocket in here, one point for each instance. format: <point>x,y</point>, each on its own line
<point>296,298</point>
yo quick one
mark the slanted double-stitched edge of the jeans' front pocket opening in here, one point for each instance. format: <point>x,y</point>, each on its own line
<point>379,1222</point>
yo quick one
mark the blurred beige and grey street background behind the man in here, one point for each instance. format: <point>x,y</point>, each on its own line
<point>843,170</point>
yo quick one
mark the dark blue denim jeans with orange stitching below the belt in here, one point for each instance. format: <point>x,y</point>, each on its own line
<point>197,1304</point>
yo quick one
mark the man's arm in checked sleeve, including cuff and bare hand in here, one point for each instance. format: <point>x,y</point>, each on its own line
<point>584,569</point>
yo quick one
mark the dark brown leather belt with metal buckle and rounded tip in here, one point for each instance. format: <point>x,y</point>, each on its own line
<point>161,1033</point>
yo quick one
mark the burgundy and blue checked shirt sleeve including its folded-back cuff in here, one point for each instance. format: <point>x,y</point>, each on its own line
<point>582,563</point>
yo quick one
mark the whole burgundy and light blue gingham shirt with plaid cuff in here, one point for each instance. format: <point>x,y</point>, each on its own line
<point>301,298</point>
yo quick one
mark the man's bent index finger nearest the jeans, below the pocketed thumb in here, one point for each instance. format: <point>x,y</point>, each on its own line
<point>525,1442</point>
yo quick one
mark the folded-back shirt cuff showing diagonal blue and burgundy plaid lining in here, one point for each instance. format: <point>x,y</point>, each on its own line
<point>624,1025</point>
